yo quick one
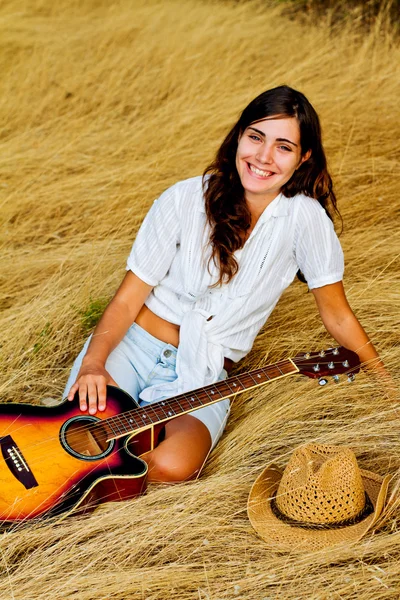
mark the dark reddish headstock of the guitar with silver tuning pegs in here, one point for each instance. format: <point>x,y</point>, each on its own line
<point>331,362</point>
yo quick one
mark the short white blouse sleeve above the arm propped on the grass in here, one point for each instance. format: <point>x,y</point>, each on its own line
<point>317,248</point>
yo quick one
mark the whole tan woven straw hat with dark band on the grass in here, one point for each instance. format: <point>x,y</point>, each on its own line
<point>322,498</point>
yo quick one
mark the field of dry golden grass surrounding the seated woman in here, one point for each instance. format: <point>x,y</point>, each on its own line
<point>103,106</point>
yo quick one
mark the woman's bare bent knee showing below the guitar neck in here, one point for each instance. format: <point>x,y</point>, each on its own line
<point>181,455</point>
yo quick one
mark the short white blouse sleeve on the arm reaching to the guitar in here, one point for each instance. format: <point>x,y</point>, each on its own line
<point>157,240</point>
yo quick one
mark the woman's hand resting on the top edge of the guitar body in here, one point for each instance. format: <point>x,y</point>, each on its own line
<point>91,382</point>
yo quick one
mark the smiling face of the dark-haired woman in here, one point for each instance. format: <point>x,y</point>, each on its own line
<point>268,154</point>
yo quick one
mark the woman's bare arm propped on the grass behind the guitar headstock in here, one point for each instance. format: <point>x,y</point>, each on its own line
<point>343,325</point>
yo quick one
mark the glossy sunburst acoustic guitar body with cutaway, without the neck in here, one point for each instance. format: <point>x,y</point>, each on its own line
<point>57,458</point>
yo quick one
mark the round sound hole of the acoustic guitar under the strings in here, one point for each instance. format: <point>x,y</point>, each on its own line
<point>84,437</point>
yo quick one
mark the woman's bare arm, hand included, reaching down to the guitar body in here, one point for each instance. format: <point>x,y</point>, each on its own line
<point>117,318</point>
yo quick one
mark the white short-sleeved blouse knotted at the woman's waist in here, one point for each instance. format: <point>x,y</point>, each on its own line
<point>171,253</point>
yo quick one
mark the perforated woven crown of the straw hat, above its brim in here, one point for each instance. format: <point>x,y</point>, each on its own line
<point>321,484</point>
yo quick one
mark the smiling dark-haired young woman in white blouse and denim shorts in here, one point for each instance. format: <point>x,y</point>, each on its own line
<point>209,263</point>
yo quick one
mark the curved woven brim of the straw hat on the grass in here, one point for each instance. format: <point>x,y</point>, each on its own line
<point>284,537</point>
